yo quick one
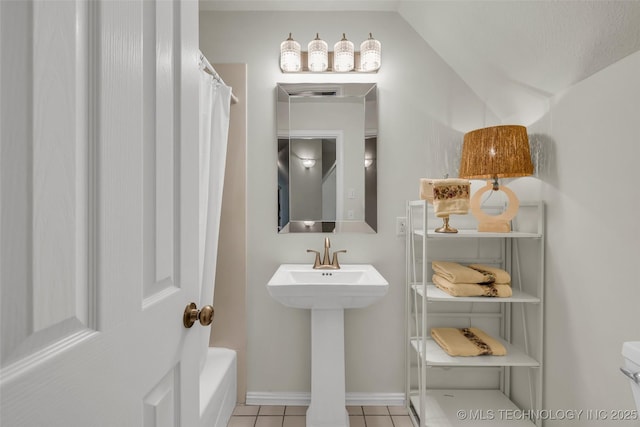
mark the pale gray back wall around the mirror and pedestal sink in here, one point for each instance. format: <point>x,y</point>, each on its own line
<point>422,105</point>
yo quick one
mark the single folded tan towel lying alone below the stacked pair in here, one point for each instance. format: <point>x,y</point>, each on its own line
<point>467,342</point>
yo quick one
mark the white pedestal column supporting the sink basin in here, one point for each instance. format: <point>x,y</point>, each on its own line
<point>327,407</point>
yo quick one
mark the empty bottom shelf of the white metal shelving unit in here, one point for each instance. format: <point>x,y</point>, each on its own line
<point>451,408</point>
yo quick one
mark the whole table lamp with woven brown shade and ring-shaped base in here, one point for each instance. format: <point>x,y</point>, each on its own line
<point>495,152</point>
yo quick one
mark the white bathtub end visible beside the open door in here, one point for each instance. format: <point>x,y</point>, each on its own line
<point>218,387</point>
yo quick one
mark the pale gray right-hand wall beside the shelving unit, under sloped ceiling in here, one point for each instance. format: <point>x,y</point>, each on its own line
<point>589,165</point>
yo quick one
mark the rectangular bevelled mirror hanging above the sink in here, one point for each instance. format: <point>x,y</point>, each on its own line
<point>327,157</point>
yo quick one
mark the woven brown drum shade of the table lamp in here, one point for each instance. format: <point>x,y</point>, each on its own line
<point>496,152</point>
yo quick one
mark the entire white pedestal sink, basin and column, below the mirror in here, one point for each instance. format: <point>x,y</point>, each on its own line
<point>327,293</point>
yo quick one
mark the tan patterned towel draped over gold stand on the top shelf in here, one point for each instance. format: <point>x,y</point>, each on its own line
<point>449,196</point>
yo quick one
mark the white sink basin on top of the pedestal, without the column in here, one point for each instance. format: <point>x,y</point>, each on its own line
<point>352,286</point>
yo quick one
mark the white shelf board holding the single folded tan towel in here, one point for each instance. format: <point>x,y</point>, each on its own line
<point>436,356</point>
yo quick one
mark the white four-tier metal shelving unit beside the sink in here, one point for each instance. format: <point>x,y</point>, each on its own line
<point>485,390</point>
